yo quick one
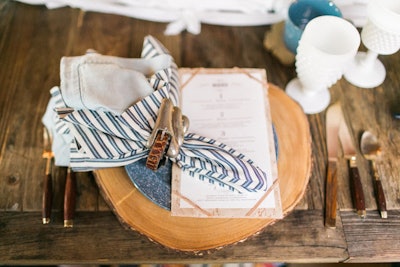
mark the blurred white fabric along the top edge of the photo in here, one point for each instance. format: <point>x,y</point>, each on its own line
<point>189,14</point>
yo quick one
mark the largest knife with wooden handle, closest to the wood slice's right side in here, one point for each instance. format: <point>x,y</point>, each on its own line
<point>332,143</point>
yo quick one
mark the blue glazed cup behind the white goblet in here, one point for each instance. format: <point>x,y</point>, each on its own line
<point>300,13</point>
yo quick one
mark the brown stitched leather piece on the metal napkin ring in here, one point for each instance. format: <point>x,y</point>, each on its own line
<point>157,151</point>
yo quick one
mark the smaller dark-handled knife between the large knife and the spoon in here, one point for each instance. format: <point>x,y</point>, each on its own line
<point>350,154</point>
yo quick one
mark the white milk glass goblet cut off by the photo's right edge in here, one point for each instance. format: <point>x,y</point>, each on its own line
<point>381,36</point>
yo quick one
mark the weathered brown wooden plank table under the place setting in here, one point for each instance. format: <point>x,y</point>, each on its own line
<point>32,41</point>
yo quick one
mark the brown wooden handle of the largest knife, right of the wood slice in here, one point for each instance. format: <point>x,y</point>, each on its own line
<point>331,195</point>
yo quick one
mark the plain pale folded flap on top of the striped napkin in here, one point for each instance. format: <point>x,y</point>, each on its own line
<point>87,81</point>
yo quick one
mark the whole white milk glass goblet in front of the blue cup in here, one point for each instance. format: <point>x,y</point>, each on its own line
<point>327,45</point>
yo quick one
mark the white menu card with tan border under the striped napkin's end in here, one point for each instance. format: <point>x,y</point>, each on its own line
<point>232,107</point>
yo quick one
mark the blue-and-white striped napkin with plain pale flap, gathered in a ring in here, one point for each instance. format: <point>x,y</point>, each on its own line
<point>107,108</point>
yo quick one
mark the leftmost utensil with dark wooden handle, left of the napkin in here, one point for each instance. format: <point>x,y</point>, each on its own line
<point>48,183</point>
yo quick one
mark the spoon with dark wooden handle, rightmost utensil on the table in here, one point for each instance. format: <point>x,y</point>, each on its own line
<point>371,150</point>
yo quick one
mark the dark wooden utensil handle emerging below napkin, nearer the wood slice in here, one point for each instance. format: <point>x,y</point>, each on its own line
<point>69,198</point>
